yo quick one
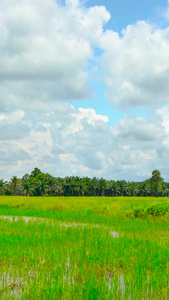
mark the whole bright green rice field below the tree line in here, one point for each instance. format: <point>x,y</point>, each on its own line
<point>84,248</point>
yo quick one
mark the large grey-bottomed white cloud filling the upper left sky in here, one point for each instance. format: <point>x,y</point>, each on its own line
<point>44,51</point>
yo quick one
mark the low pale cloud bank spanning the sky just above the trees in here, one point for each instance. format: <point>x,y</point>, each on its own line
<point>129,150</point>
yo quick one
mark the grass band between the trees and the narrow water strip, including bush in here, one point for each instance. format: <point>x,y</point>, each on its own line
<point>100,209</point>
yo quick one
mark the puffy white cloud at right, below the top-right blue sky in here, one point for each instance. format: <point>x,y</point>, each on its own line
<point>137,65</point>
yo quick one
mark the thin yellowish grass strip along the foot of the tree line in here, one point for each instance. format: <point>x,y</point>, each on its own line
<point>111,205</point>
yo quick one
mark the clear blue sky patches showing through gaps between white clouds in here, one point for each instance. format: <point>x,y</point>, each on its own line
<point>123,13</point>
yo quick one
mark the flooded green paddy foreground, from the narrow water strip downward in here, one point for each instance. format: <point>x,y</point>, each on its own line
<point>46,259</point>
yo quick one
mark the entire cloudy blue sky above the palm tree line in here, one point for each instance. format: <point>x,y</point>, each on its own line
<point>84,88</point>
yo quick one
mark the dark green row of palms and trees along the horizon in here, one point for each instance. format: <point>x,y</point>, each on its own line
<point>43,184</point>
